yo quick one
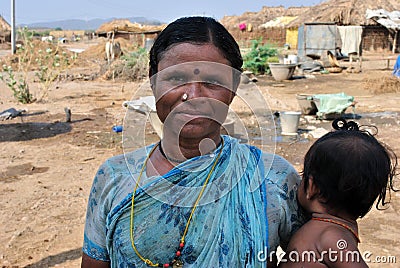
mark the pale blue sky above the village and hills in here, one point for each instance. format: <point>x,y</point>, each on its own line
<point>31,11</point>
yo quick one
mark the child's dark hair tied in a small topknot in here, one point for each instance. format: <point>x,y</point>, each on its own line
<point>351,169</point>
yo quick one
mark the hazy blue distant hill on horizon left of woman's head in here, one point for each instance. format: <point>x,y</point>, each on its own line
<point>93,24</point>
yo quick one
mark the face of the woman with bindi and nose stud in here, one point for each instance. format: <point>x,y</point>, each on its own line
<point>193,90</point>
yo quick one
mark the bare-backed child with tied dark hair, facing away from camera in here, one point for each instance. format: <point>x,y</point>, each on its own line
<point>345,171</point>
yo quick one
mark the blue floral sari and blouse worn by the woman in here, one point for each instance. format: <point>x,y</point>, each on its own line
<point>229,227</point>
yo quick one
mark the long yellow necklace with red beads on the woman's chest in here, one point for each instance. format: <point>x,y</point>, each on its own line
<point>176,261</point>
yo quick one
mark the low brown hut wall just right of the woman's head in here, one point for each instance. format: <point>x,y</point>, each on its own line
<point>273,35</point>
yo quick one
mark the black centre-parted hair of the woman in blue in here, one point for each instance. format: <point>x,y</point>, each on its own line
<point>195,30</point>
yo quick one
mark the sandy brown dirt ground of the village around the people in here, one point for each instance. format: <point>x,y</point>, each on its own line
<point>47,165</point>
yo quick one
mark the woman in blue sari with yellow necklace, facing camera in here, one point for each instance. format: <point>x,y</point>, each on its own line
<point>196,198</point>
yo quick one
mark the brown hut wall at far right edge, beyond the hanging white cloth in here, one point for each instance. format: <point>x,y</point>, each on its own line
<point>378,39</point>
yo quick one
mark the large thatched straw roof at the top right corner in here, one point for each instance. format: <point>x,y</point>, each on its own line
<point>344,12</point>
